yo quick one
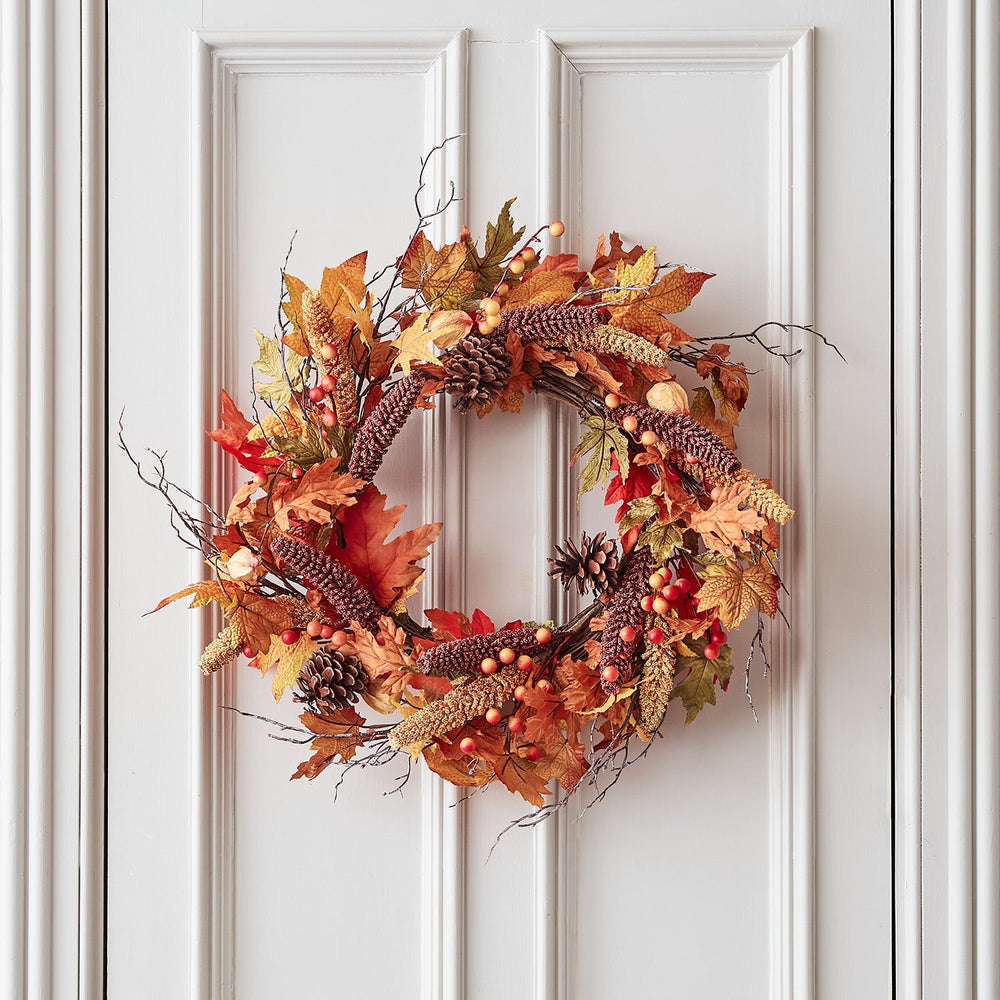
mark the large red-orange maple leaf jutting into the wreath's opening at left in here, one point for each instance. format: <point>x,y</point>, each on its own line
<point>387,569</point>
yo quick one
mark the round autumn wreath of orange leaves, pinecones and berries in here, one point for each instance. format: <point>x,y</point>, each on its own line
<point>314,588</point>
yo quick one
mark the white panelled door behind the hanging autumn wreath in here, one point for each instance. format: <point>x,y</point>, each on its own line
<point>740,858</point>
